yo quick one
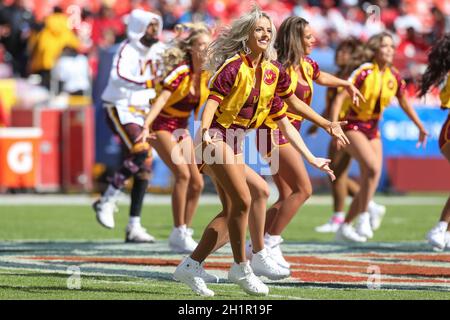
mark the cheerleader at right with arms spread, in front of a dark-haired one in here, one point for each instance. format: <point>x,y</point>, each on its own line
<point>379,82</point>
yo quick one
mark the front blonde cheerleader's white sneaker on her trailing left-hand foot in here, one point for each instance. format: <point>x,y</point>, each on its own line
<point>189,272</point>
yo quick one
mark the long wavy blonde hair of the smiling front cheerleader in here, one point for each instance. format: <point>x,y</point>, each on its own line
<point>233,39</point>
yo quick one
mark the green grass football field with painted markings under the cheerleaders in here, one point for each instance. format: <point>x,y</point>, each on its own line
<point>53,230</point>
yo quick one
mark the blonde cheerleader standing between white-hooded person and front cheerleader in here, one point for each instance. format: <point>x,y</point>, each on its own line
<point>184,90</point>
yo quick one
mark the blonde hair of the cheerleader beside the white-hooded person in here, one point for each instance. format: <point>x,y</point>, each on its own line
<point>181,46</point>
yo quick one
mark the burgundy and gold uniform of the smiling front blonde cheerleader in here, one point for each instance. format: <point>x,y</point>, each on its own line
<point>241,105</point>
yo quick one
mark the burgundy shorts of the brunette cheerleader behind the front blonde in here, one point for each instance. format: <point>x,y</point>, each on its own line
<point>267,139</point>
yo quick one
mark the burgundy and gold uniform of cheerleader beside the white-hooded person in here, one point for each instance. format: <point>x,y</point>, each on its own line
<point>182,102</point>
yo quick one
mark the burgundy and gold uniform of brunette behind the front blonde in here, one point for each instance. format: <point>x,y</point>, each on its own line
<point>268,135</point>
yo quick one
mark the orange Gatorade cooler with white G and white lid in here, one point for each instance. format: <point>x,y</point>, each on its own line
<point>19,157</point>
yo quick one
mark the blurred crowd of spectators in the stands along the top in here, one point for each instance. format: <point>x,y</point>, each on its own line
<point>42,38</point>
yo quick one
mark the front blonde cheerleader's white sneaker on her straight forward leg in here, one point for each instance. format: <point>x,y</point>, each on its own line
<point>242,275</point>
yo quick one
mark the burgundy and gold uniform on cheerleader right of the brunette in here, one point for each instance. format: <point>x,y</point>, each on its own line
<point>378,88</point>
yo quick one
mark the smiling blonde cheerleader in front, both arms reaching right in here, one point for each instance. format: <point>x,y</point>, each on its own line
<point>248,87</point>
